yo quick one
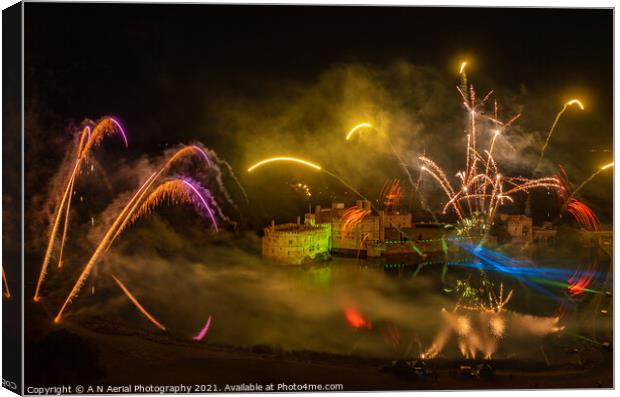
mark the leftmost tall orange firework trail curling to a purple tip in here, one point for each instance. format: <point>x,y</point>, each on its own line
<point>106,126</point>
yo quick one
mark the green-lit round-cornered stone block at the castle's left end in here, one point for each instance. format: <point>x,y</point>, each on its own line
<point>296,243</point>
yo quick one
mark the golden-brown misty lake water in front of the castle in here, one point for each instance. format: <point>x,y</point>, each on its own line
<point>254,302</point>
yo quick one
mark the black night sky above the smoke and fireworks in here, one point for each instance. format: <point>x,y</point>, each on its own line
<point>161,67</point>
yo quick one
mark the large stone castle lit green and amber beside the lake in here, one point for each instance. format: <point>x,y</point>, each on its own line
<point>375,234</point>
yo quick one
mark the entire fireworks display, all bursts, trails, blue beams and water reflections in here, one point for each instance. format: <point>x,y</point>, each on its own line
<point>479,323</point>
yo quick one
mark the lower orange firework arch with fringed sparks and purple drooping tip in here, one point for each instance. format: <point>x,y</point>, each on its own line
<point>177,190</point>
